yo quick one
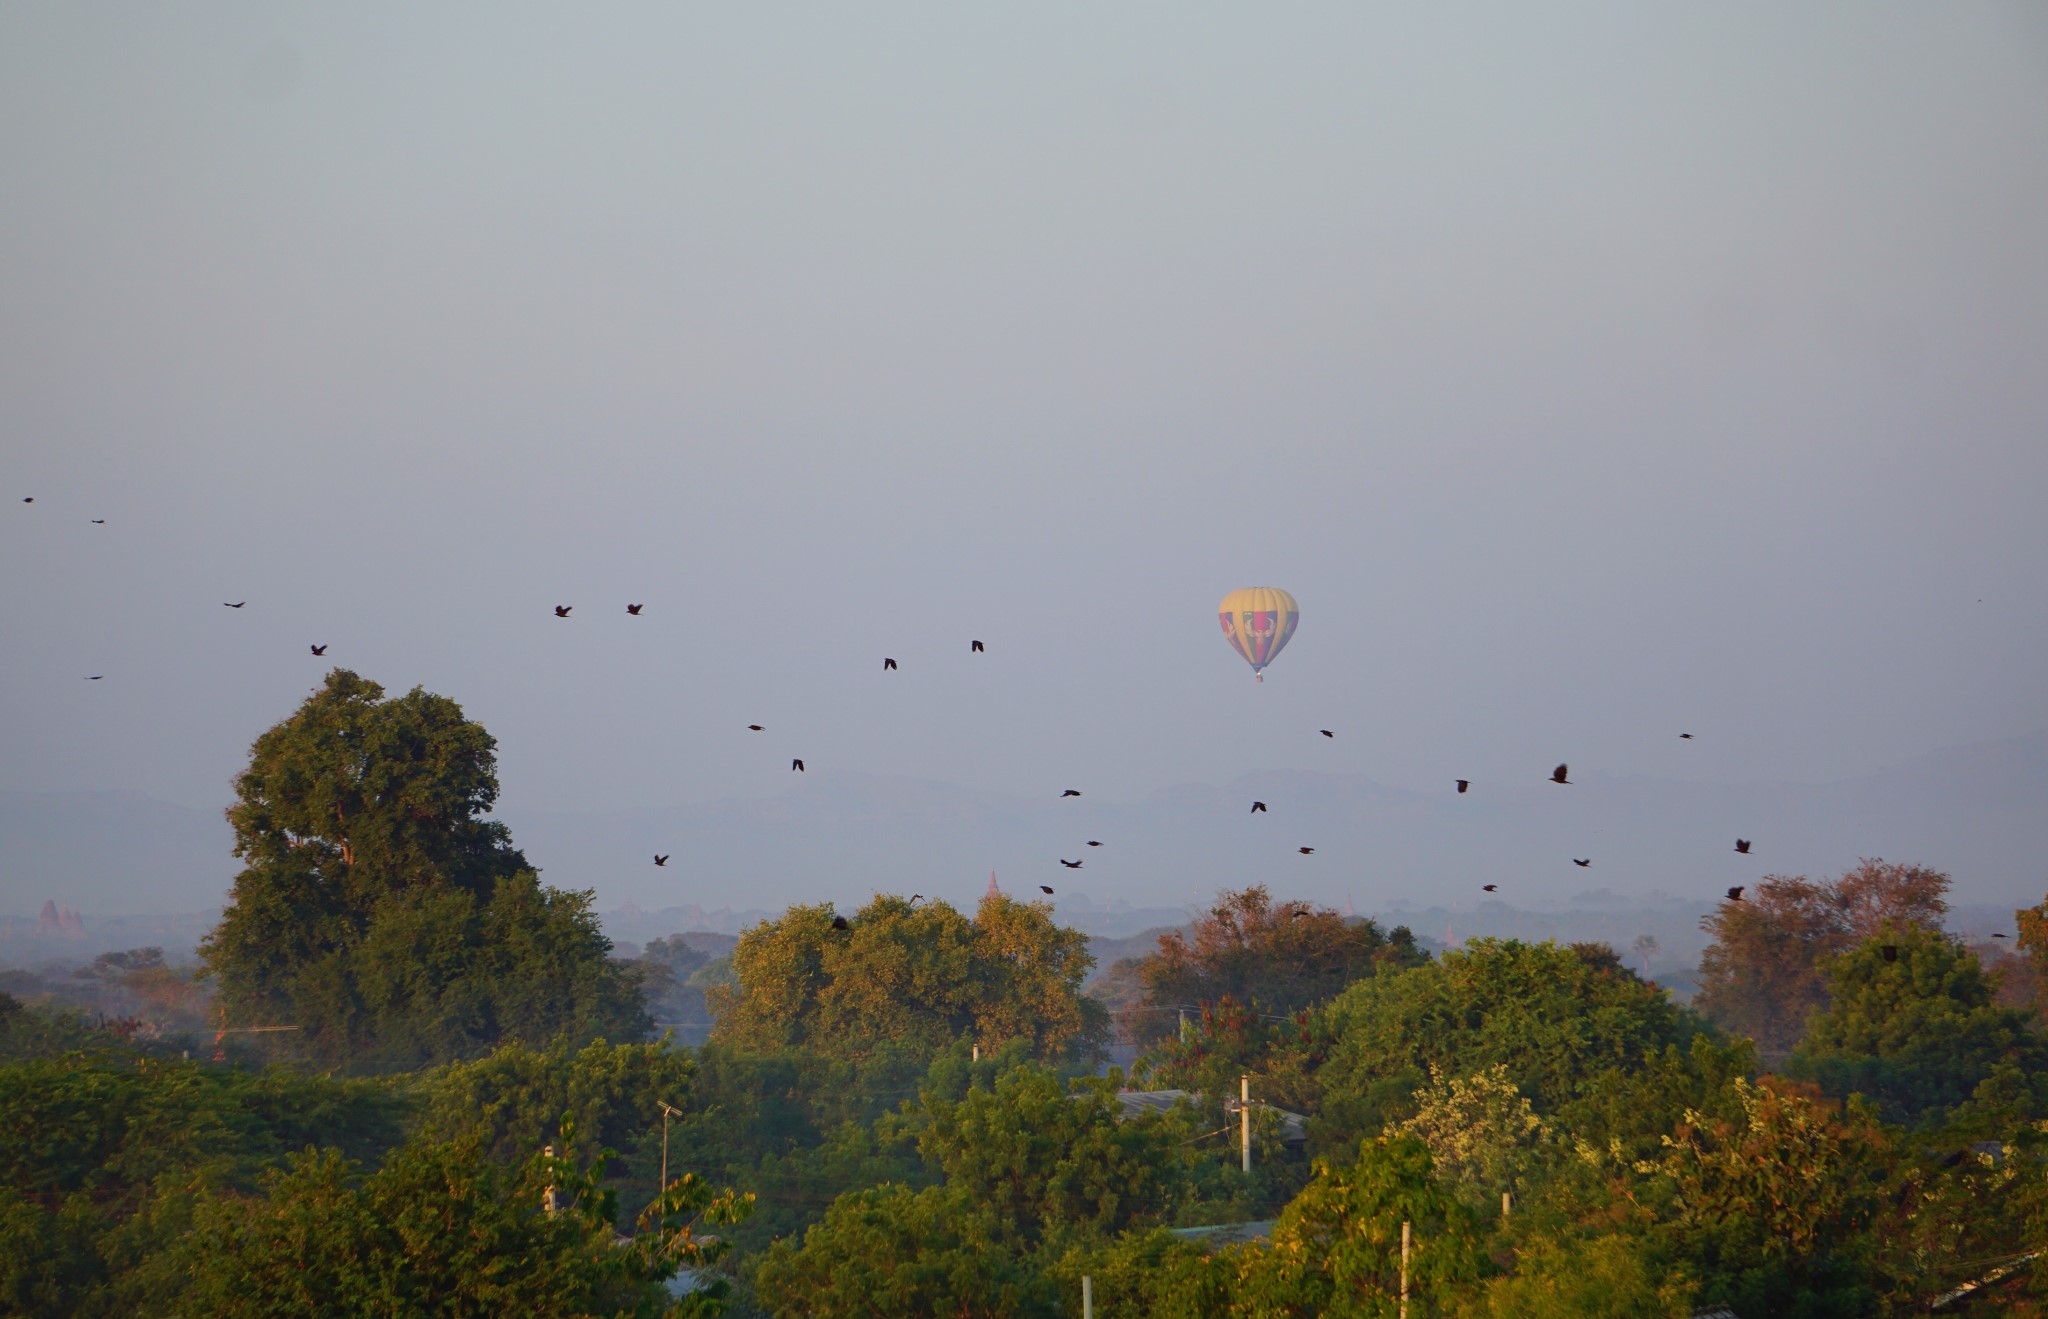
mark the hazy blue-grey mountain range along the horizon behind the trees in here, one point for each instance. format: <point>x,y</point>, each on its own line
<point>1977,812</point>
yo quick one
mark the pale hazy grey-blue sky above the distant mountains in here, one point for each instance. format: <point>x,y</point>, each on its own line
<point>1588,376</point>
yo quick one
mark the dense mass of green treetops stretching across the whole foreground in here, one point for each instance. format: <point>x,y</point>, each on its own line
<point>1558,1136</point>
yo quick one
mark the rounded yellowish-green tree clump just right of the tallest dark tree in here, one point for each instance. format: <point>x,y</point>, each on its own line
<point>912,978</point>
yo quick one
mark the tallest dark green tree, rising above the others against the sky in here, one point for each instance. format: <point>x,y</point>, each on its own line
<point>382,914</point>
